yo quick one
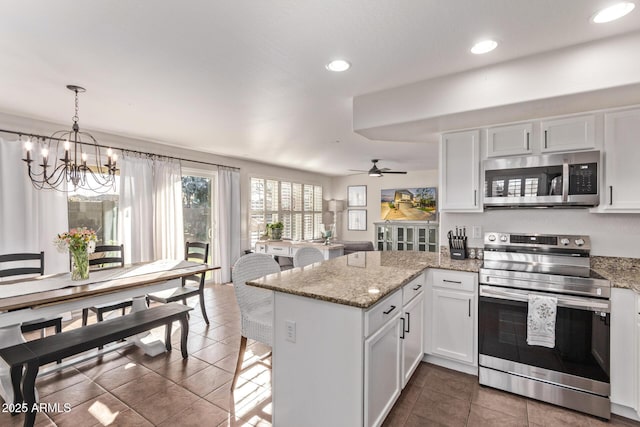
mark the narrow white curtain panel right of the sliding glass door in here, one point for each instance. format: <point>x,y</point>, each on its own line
<point>228,250</point>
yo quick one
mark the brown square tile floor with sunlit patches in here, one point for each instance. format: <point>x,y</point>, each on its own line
<point>128,388</point>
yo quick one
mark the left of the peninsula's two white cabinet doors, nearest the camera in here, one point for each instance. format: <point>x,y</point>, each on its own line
<point>382,364</point>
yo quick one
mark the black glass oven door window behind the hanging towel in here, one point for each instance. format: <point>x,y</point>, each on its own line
<point>582,339</point>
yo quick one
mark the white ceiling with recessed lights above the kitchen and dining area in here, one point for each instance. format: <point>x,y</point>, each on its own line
<point>246,78</point>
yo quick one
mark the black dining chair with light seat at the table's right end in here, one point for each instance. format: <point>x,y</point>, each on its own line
<point>194,251</point>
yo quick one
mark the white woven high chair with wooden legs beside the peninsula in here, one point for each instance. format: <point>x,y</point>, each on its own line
<point>256,305</point>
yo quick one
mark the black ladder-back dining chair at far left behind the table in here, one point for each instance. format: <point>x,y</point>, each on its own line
<point>28,264</point>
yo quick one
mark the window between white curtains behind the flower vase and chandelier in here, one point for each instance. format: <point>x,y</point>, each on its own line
<point>96,211</point>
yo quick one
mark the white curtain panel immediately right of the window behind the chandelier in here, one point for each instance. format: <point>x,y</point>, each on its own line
<point>135,225</point>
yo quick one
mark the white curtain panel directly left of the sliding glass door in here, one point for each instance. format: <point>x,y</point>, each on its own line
<point>167,210</point>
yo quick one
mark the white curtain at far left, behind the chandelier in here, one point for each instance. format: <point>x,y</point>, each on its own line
<point>30,219</point>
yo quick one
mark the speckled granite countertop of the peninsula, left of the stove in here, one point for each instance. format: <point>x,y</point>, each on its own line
<point>360,279</point>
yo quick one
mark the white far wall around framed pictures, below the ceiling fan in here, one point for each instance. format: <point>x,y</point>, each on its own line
<point>427,178</point>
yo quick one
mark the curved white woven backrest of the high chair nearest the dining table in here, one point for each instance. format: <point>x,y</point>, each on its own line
<point>249,267</point>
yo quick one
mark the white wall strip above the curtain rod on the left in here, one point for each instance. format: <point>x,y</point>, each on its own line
<point>247,168</point>
